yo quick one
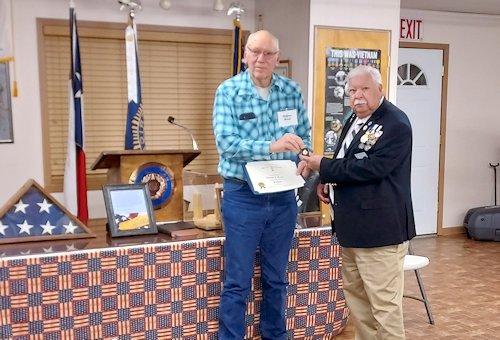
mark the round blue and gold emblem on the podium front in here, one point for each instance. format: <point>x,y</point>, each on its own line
<point>160,180</point>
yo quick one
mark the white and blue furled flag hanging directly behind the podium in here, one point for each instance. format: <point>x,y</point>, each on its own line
<point>134,135</point>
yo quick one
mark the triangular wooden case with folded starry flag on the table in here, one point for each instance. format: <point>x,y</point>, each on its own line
<point>32,214</point>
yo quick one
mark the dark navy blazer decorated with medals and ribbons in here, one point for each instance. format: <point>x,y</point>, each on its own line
<point>373,206</point>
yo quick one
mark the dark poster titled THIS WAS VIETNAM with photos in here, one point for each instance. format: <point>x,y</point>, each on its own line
<point>339,61</point>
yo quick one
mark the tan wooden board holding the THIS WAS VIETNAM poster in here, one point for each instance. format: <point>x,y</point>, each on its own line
<point>370,47</point>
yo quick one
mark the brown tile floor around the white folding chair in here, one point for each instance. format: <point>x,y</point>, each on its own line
<point>462,283</point>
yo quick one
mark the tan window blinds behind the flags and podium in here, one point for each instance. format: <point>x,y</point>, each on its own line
<point>179,76</point>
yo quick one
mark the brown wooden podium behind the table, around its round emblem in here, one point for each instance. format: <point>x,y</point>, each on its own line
<point>122,165</point>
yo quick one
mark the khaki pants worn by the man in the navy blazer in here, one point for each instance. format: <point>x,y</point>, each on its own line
<point>373,286</point>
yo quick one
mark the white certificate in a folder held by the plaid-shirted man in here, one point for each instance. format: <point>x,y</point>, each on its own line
<point>266,177</point>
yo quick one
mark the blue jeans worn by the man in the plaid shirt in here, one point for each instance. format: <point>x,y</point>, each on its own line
<point>267,221</point>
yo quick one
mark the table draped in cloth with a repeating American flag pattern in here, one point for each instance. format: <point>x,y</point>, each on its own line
<point>162,290</point>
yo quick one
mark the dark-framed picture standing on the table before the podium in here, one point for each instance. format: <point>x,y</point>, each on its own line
<point>129,209</point>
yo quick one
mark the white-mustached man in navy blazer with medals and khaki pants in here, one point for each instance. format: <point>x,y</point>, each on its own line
<point>367,183</point>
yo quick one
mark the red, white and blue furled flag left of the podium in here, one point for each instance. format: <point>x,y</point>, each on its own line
<point>75,182</point>
